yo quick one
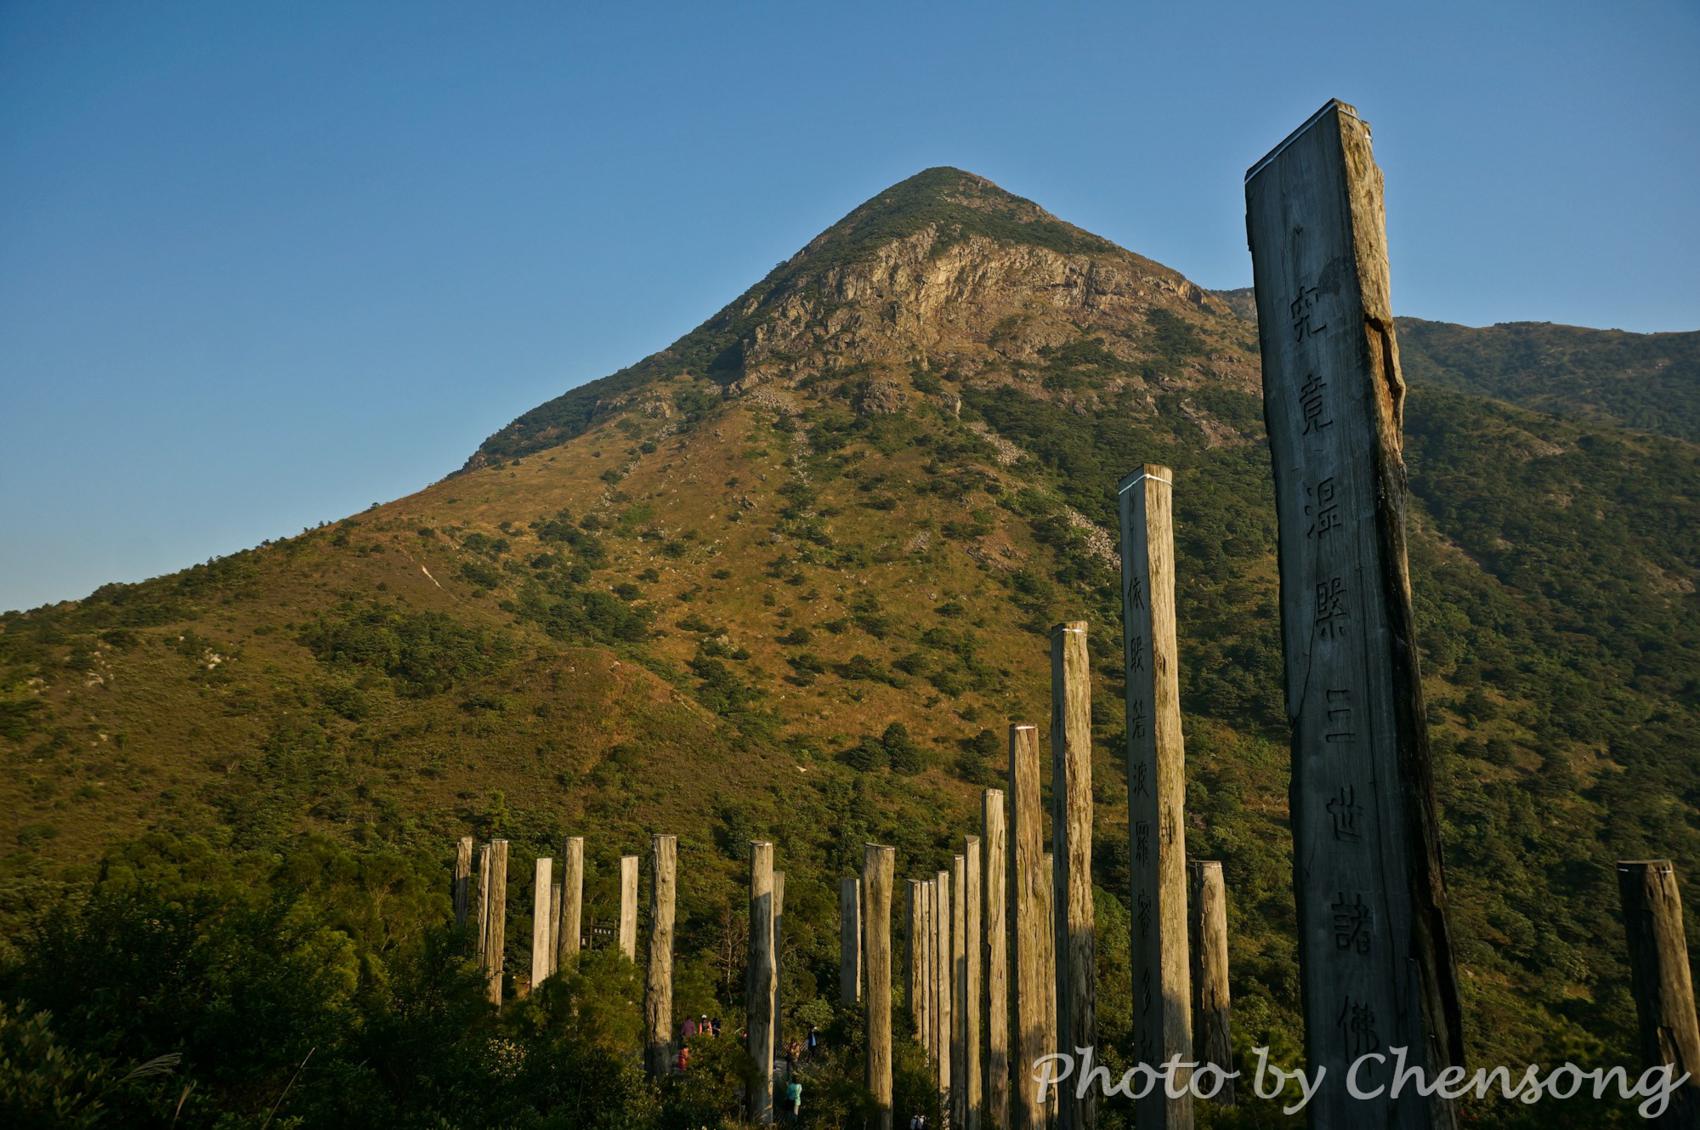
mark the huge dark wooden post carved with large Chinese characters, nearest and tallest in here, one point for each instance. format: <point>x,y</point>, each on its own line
<point>1374,947</point>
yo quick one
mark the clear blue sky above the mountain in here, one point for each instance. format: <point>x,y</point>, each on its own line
<point>264,264</point>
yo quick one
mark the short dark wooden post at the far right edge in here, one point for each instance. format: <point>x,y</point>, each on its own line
<point>1658,968</point>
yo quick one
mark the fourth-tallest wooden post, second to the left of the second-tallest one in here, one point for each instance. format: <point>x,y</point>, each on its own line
<point>1029,883</point>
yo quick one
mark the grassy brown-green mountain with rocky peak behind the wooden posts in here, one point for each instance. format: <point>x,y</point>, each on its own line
<point>791,579</point>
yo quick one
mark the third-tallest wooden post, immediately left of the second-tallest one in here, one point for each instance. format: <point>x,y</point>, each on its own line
<point>1072,839</point>
